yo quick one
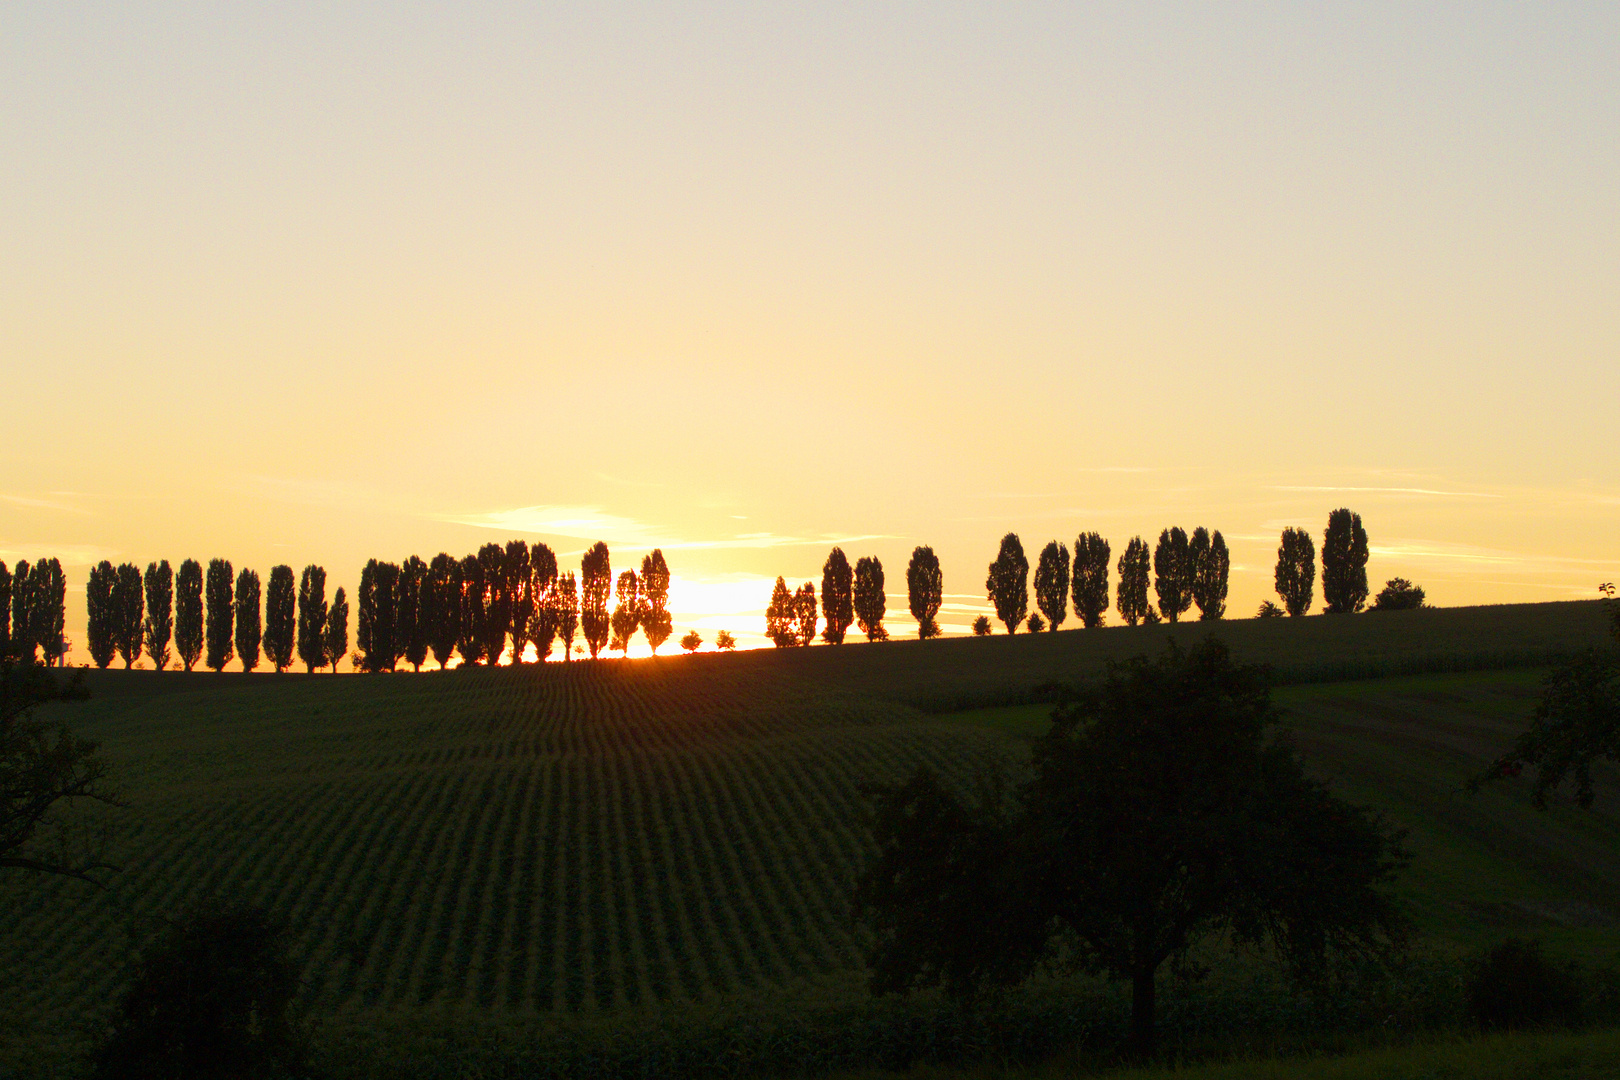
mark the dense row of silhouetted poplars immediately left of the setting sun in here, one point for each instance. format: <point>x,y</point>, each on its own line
<point>475,606</point>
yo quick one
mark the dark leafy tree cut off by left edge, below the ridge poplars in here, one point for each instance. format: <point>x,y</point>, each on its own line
<point>45,773</point>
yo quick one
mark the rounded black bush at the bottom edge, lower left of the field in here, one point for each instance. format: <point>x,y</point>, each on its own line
<point>210,1000</point>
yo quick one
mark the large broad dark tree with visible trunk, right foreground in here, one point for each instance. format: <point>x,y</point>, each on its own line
<point>1161,815</point>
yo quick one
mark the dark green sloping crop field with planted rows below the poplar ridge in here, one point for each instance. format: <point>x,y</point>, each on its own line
<point>621,840</point>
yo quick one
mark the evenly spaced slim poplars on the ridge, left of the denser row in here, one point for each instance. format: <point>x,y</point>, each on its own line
<point>215,619</point>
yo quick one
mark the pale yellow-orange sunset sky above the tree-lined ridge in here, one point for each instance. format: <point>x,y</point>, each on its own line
<point>320,283</point>
